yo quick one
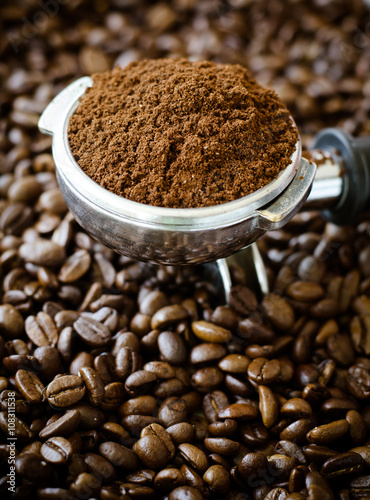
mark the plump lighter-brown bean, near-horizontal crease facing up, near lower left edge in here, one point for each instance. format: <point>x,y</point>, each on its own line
<point>65,391</point>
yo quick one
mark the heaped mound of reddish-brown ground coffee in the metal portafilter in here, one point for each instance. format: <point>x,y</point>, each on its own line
<point>181,134</point>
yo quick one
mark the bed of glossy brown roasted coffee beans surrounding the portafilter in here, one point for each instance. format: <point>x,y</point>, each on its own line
<point>131,381</point>
